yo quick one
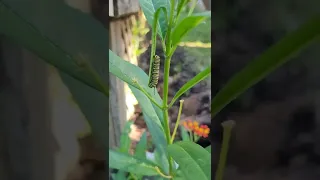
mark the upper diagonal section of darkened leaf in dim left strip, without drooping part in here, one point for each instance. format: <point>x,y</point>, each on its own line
<point>22,23</point>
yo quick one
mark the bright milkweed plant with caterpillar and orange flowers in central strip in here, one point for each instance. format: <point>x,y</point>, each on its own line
<point>173,159</point>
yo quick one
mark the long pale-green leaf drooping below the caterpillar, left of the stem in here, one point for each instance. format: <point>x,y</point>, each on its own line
<point>153,115</point>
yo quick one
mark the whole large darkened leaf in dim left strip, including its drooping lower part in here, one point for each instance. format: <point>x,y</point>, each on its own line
<point>61,35</point>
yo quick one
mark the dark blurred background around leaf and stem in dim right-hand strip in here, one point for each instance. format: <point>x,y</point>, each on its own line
<point>278,122</point>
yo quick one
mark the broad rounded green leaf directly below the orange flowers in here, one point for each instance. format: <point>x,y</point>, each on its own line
<point>194,161</point>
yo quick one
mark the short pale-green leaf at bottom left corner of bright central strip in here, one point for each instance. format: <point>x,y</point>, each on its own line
<point>131,164</point>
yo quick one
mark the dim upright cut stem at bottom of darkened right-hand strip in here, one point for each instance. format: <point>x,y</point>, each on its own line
<point>227,128</point>
